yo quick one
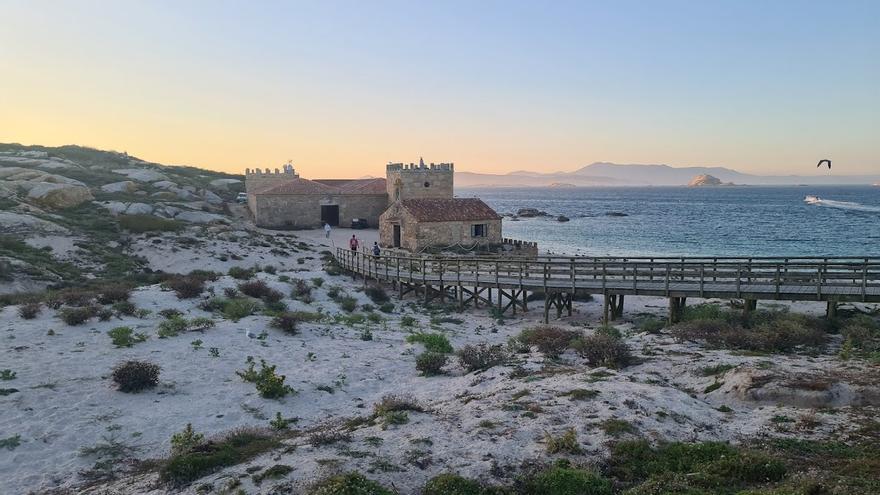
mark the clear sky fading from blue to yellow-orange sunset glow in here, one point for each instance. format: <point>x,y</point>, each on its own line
<point>343,87</point>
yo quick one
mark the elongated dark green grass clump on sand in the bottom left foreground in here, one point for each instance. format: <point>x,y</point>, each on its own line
<point>233,448</point>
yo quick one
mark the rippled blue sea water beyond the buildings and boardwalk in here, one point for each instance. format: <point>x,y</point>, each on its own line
<point>732,221</point>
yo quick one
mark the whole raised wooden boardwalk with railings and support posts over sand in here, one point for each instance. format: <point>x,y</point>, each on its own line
<point>508,283</point>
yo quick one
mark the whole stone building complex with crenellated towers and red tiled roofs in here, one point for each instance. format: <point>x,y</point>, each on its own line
<point>413,206</point>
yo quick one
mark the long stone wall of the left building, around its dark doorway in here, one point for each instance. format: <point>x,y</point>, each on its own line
<point>303,211</point>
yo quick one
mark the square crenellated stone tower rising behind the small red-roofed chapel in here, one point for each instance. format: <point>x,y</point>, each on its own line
<point>418,180</point>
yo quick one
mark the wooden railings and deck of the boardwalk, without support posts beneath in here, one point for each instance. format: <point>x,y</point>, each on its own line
<point>791,278</point>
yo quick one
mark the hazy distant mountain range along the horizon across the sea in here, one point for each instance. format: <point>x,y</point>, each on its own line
<point>613,174</point>
